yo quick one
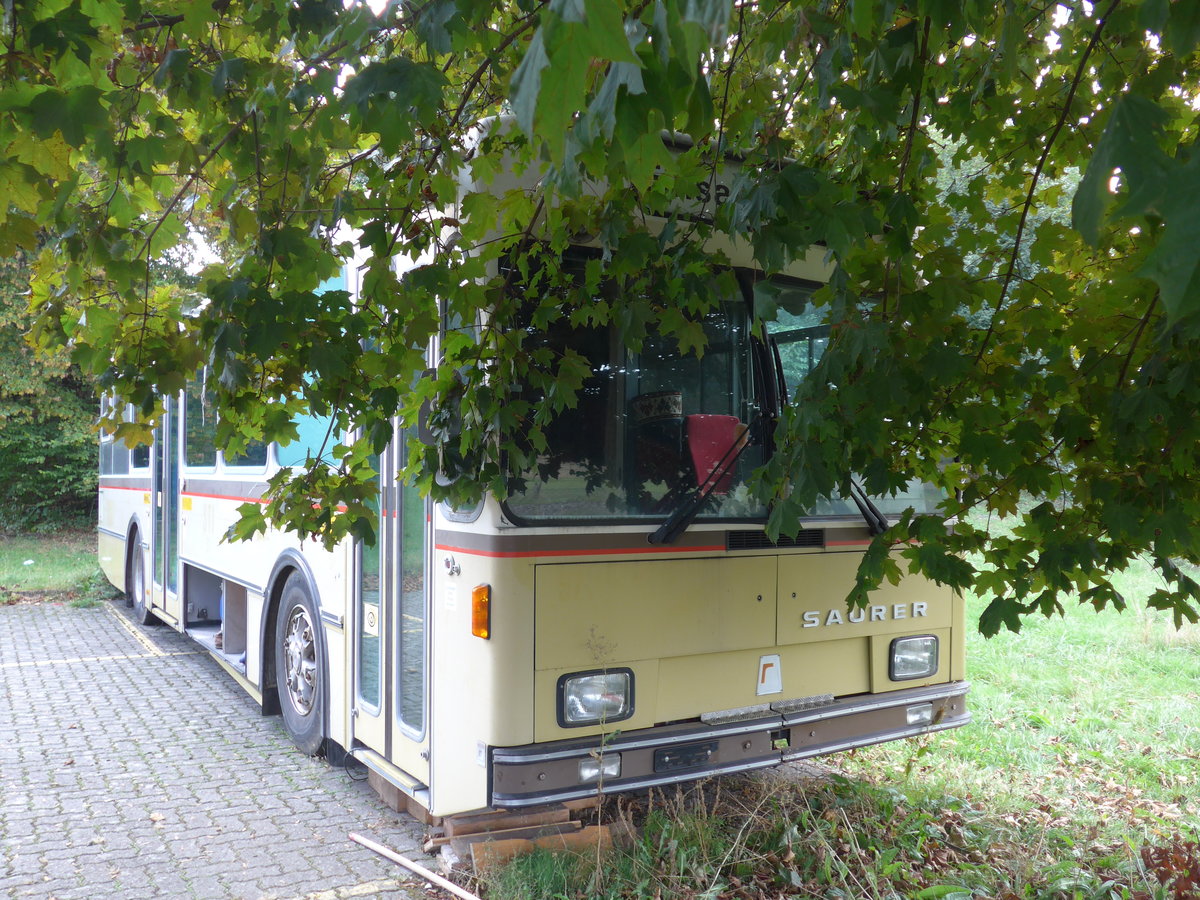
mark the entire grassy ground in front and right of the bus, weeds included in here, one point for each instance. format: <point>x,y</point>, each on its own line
<point>1079,778</point>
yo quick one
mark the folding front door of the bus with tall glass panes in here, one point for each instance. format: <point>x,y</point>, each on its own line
<point>392,627</point>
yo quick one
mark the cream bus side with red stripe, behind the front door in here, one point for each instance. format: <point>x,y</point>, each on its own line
<point>172,520</point>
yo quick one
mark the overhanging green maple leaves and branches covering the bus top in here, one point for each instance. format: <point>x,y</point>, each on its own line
<point>975,343</point>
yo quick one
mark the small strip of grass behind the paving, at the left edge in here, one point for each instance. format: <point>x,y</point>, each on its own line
<point>61,566</point>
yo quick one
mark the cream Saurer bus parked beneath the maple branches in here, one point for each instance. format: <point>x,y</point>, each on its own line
<point>620,621</point>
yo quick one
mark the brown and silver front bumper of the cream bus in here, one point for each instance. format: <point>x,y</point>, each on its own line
<point>669,754</point>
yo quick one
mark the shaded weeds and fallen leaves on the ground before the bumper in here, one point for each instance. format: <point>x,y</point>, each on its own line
<point>765,838</point>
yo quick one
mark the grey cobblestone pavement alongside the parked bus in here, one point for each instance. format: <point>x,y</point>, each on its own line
<point>133,766</point>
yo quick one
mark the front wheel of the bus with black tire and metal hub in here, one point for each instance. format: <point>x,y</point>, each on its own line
<point>301,667</point>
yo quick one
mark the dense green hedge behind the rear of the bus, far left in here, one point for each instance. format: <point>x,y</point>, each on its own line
<point>47,443</point>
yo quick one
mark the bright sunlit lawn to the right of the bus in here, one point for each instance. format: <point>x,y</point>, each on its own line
<point>1091,717</point>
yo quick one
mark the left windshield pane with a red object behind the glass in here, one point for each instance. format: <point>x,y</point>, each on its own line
<point>650,428</point>
